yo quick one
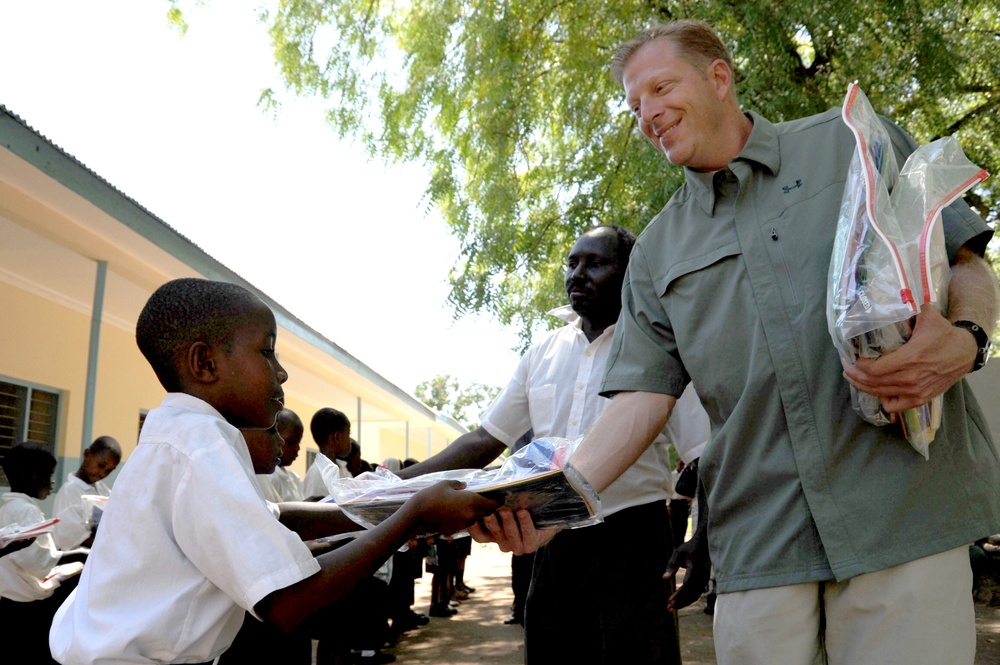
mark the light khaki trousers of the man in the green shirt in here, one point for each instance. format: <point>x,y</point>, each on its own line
<point>918,612</point>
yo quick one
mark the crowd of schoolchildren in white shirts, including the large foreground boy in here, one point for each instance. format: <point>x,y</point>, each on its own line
<point>212,545</point>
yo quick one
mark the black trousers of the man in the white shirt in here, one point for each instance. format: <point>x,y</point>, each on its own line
<point>598,597</point>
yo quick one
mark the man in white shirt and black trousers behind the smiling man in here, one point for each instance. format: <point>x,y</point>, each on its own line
<point>596,594</point>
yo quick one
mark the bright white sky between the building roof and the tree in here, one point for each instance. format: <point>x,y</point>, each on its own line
<point>347,245</point>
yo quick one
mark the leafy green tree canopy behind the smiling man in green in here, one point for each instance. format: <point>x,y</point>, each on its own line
<point>510,105</point>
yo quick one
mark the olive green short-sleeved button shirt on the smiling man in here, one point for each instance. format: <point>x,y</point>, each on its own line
<point>727,288</point>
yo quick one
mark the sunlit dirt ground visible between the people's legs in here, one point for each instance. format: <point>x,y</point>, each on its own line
<point>477,634</point>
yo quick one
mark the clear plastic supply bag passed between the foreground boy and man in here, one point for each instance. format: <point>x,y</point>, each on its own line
<point>533,478</point>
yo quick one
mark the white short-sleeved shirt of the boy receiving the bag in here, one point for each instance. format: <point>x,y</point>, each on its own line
<point>187,543</point>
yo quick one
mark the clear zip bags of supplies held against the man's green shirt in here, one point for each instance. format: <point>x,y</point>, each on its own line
<point>889,258</point>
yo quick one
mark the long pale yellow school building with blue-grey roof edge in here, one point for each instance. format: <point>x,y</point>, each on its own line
<point>78,260</point>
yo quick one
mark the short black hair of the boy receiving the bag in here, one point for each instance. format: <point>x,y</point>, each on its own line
<point>185,311</point>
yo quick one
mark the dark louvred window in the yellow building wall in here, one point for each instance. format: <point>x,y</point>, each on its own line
<point>27,413</point>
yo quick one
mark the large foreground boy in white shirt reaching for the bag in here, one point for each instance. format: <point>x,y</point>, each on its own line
<point>188,542</point>
